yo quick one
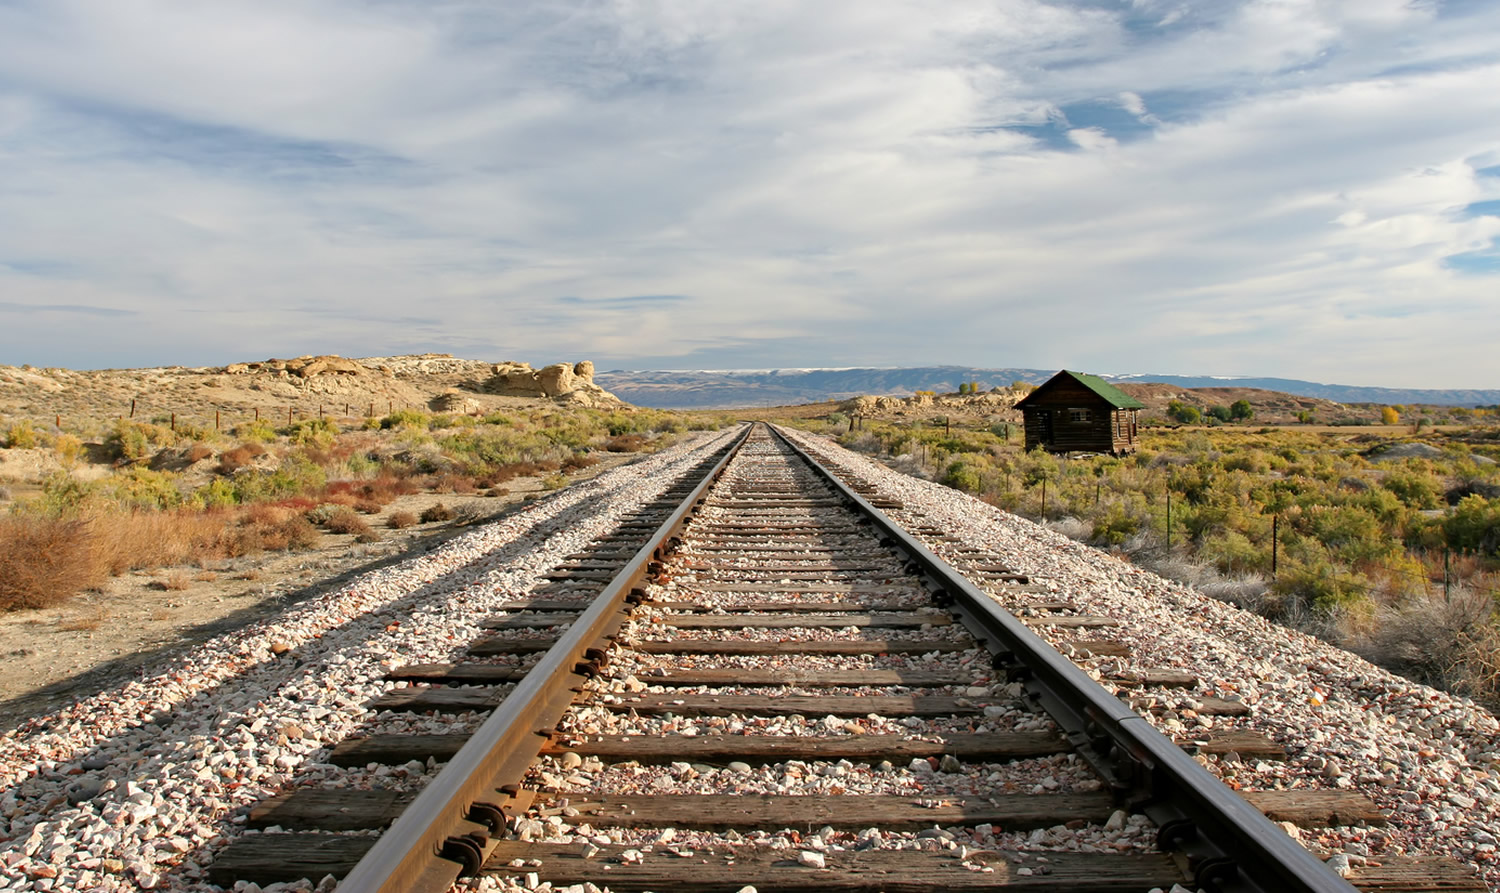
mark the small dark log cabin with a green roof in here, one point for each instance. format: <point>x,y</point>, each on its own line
<point>1081,413</point>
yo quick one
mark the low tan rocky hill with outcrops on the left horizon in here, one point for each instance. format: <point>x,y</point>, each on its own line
<point>304,386</point>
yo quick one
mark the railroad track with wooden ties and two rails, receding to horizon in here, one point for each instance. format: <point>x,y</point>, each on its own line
<point>766,682</point>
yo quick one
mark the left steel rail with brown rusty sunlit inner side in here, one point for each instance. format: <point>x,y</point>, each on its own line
<point>418,853</point>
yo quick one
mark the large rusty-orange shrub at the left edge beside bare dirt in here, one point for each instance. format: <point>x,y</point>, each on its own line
<point>44,562</point>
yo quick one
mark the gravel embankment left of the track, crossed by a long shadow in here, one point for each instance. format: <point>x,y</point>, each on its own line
<point>137,787</point>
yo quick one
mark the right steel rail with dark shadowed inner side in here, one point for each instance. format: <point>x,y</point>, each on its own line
<point>1229,844</point>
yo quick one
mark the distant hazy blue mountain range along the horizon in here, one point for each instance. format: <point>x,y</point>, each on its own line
<point>685,389</point>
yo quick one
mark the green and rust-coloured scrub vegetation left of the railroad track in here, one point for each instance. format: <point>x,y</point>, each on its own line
<point>164,504</point>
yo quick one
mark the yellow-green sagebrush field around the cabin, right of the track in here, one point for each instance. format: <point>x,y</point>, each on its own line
<point>1390,558</point>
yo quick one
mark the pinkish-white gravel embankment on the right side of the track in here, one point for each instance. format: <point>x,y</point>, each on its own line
<point>1430,759</point>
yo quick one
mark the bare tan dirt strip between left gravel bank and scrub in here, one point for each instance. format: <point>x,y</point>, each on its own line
<point>55,657</point>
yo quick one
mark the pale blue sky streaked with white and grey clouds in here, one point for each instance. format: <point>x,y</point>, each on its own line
<point>1294,188</point>
